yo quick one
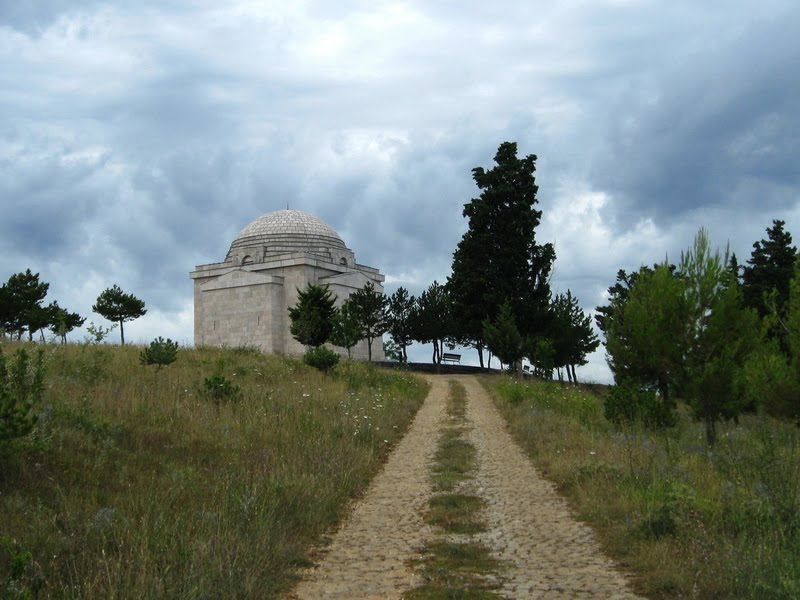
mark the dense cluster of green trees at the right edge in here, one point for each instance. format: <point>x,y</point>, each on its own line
<point>721,336</point>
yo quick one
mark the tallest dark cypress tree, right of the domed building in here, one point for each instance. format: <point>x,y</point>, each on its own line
<point>498,258</point>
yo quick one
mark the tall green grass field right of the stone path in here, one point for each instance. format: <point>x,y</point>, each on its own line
<point>686,521</point>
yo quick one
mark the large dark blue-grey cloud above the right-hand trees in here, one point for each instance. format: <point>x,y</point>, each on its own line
<point>714,126</point>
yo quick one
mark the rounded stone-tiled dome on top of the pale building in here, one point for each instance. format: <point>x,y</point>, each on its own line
<point>288,231</point>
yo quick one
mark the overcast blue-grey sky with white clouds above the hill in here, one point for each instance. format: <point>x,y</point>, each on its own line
<point>138,138</point>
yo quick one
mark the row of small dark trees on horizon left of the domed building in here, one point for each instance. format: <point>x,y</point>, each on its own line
<point>23,311</point>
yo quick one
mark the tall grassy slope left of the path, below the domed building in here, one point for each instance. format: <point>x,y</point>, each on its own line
<point>135,484</point>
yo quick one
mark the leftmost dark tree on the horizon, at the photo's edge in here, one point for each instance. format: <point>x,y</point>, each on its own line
<point>21,303</point>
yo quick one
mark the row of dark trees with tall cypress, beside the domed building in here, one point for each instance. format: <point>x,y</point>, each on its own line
<point>497,299</point>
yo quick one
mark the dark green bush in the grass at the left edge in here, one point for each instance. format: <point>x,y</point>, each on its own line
<point>21,385</point>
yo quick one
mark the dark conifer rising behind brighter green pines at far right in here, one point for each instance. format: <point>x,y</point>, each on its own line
<point>769,270</point>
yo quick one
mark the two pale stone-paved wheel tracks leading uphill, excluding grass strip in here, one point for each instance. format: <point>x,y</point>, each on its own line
<point>547,553</point>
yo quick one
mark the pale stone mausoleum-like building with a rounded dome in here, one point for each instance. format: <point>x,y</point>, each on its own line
<point>244,300</point>
